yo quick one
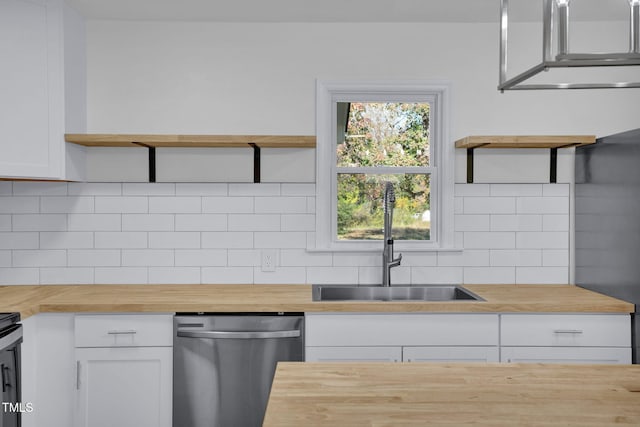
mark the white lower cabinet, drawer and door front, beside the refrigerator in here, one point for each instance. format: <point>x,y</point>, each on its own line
<point>565,338</point>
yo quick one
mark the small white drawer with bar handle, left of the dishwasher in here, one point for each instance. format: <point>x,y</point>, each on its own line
<point>124,330</point>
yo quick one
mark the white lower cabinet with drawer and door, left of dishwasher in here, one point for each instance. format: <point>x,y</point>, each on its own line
<point>124,370</point>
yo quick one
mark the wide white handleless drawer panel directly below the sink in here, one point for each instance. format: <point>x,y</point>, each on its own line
<point>401,329</point>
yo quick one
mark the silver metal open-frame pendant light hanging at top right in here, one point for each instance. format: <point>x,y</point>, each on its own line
<point>555,19</point>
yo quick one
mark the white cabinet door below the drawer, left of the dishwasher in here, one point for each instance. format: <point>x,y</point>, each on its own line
<point>124,387</point>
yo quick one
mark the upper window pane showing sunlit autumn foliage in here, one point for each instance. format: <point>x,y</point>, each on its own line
<point>383,134</point>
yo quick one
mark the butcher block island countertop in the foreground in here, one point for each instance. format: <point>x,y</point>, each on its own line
<point>435,394</point>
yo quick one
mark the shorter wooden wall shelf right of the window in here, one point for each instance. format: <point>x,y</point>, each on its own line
<point>525,141</point>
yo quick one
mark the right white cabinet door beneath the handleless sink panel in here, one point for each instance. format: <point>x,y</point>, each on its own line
<point>450,354</point>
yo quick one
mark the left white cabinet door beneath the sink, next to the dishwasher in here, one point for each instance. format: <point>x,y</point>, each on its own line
<point>353,354</point>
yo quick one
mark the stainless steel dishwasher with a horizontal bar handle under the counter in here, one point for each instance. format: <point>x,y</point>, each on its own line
<point>224,365</point>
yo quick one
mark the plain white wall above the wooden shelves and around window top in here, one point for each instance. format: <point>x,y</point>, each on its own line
<point>260,78</point>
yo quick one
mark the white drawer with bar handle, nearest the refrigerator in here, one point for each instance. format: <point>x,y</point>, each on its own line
<point>566,330</point>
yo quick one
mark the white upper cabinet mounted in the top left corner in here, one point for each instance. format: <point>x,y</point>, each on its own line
<point>32,86</point>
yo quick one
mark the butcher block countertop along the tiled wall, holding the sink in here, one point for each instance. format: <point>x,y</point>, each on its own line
<point>29,300</point>
